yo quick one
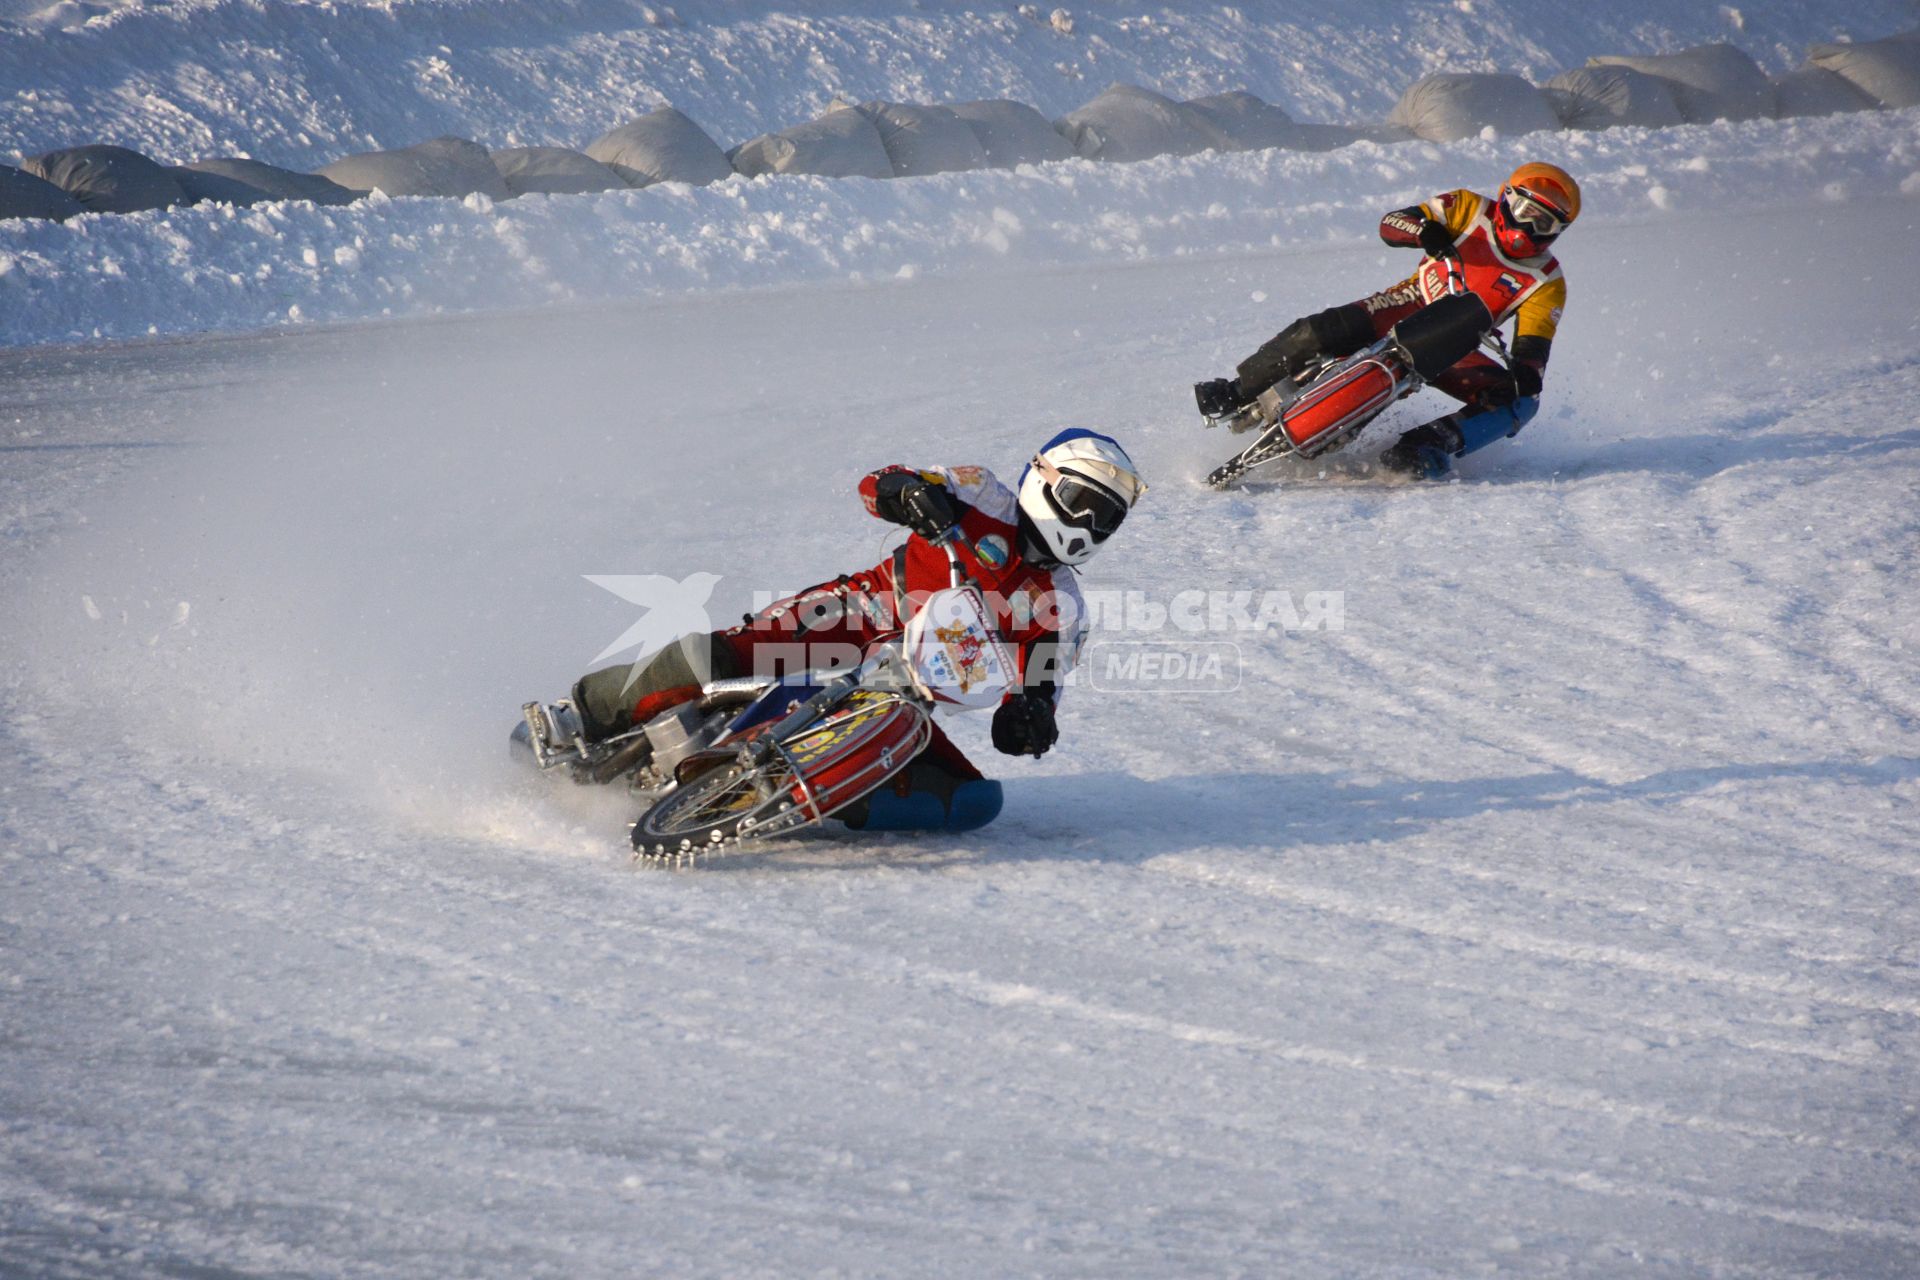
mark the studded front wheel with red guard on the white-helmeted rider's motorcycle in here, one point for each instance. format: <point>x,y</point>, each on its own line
<point>790,786</point>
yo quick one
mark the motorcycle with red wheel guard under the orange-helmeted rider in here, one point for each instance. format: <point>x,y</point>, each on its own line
<point>1330,404</point>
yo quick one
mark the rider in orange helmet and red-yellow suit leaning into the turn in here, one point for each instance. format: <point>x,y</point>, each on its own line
<point>1502,250</point>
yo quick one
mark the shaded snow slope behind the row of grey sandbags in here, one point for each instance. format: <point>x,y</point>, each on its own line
<point>304,83</point>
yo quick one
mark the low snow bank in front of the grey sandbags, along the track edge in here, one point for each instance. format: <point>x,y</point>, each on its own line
<point>228,270</point>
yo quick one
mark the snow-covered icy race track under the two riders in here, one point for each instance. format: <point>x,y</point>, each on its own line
<point>1556,916</point>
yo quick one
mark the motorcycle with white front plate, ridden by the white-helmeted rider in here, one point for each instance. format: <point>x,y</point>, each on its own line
<point>763,757</point>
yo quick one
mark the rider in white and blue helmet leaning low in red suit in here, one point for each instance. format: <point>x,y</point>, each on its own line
<point>1067,506</point>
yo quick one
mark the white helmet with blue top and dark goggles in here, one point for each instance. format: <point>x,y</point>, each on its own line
<point>1074,494</point>
